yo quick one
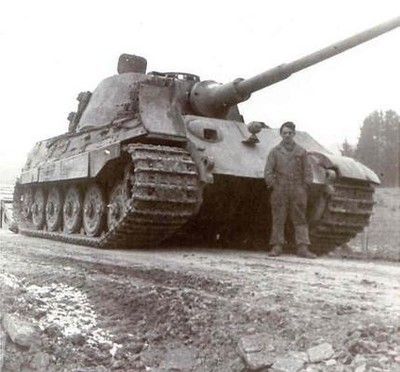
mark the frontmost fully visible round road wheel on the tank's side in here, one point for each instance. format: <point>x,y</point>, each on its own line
<point>94,207</point>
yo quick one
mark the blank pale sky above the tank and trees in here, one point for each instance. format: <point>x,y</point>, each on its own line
<point>52,50</point>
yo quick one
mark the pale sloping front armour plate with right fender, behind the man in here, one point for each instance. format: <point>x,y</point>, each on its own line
<point>220,142</point>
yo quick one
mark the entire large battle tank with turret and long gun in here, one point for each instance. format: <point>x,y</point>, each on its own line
<point>155,157</point>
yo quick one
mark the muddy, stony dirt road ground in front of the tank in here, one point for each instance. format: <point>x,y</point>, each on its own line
<point>160,310</point>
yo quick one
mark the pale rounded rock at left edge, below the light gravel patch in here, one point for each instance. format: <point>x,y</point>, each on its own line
<point>20,331</point>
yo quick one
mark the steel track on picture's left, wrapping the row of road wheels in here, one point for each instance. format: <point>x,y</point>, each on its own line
<point>165,194</point>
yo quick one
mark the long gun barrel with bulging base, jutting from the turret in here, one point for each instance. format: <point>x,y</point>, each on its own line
<point>213,99</point>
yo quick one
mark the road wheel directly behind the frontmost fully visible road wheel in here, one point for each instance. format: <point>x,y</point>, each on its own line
<point>72,210</point>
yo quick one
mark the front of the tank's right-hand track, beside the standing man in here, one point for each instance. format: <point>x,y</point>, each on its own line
<point>346,214</point>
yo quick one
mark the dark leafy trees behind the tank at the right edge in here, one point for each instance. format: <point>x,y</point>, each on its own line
<point>378,146</point>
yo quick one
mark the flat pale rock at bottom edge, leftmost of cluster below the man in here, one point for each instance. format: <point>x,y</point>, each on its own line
<point>256,351</point>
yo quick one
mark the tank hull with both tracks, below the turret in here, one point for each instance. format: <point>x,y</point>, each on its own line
<point>208,188</point>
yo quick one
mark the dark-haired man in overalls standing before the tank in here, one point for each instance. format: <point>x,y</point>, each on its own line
<point>289,174</point>
